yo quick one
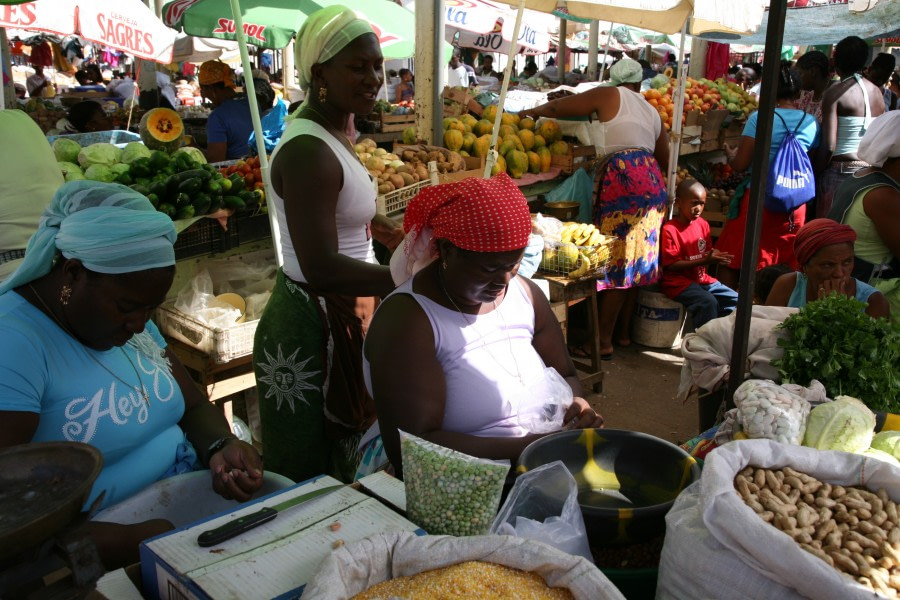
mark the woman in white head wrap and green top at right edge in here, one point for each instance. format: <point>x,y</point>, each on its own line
<point>869,202</point>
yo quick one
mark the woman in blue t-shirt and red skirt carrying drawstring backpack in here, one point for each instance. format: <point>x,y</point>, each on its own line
<point>776,243</point>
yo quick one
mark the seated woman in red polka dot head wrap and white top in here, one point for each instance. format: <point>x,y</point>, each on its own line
<point>450,353</point>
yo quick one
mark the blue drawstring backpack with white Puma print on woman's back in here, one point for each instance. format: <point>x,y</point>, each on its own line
<point>790,183</point>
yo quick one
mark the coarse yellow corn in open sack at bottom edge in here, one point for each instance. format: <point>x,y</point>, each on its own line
<point>474,579</point>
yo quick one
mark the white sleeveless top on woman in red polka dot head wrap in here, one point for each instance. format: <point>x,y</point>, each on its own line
<point>482,357</point>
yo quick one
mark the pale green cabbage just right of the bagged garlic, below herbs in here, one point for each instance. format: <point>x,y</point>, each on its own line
<point>845,424</point>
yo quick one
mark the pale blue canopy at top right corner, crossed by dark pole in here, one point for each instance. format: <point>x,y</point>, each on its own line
<point>827,22</point>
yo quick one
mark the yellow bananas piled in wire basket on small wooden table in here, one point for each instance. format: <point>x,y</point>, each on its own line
<point>581,251</point>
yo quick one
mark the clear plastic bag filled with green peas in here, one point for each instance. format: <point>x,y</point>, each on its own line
<point>448,492</point>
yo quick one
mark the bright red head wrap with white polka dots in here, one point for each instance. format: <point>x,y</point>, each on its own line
<point>481,215</point>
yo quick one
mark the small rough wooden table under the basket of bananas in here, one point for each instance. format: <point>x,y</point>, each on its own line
<point>564,293</point>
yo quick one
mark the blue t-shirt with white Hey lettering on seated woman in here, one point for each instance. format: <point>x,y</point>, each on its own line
<point>43,370</point>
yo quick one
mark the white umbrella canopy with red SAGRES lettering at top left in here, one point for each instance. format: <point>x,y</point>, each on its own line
<point>126,25</point>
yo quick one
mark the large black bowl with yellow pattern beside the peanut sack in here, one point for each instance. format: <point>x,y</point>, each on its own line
<point>627,481</point>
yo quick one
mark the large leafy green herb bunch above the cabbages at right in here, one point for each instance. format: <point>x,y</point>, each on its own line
<point>852,354</point>
